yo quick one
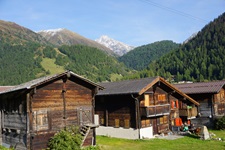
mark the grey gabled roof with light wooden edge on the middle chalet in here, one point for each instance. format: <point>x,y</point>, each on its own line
<point>138,86</point>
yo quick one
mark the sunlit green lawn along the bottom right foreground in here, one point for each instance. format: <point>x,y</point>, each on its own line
<point>185,143</point>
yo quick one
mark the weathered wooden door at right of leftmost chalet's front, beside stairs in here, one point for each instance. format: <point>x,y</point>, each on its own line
<point>85,115</point>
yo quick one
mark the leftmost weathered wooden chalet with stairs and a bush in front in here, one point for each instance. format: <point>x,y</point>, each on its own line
<point>33,112</point>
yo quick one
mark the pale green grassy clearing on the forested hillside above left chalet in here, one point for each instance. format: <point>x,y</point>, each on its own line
<point>49,64</point>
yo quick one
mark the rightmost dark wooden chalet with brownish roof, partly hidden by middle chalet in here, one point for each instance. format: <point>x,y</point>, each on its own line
<point>211,96</point>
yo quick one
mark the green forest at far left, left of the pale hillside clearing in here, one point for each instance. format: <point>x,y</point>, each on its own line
<point>18,63</point>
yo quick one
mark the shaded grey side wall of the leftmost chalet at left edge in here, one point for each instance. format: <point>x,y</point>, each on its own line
<point>13,119</point>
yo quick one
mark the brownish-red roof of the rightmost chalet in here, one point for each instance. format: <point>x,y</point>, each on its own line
<point>201,87</point>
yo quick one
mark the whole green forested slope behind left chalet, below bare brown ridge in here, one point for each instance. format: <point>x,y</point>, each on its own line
<point>21,63</point>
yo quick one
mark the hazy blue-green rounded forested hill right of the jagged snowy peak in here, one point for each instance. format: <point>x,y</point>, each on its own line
<point>140,57</point>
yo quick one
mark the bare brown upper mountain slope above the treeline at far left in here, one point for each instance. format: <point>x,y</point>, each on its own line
<point>17,34</point>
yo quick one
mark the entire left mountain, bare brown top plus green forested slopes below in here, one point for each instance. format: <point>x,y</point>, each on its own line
<point>26,55</point>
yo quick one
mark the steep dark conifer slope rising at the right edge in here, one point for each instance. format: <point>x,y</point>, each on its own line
<point>202,58</point>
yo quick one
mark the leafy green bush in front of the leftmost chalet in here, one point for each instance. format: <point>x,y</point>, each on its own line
<point>69,139</point>
